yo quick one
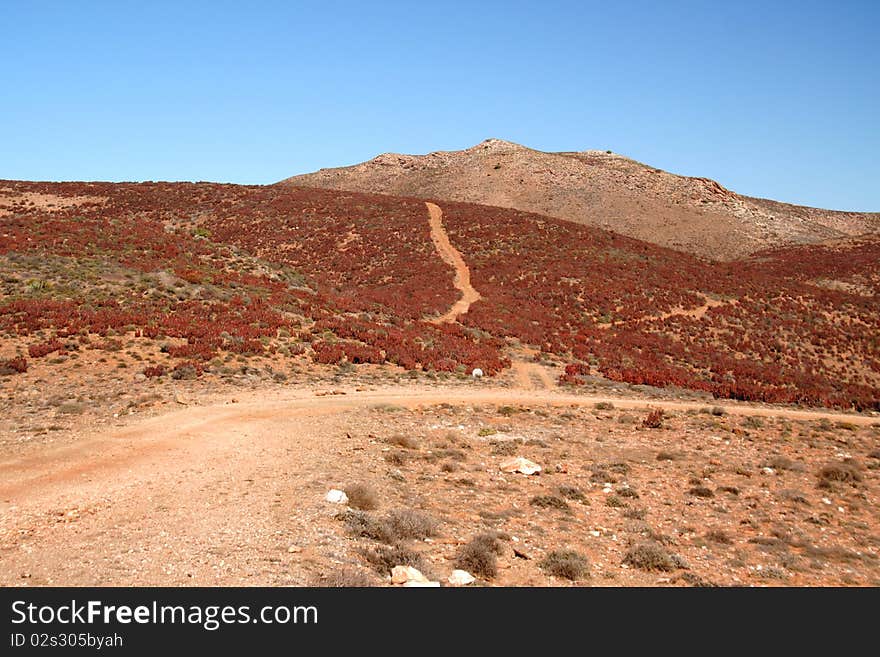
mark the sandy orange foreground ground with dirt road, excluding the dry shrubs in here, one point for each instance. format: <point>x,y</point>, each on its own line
<point>233,492</point>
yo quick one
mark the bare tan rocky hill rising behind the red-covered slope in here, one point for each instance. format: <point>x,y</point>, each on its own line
<point>600,189</point>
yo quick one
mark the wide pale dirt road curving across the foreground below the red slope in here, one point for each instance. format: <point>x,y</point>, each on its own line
<point>214,494</point>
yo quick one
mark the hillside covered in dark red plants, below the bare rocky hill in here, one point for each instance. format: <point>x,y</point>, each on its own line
<point>189,280</point>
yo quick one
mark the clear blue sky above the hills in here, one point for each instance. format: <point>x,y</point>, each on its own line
<point>774,99</point>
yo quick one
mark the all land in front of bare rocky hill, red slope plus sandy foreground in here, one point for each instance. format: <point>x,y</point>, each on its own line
<point>187,370</point>
